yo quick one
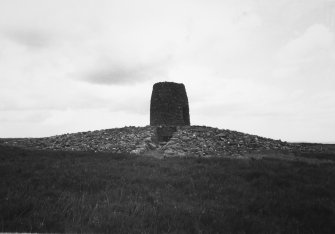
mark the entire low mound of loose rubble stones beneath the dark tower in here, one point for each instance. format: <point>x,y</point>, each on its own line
<point>198,141</point>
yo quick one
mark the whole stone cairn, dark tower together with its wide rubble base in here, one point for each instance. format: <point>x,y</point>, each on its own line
<point>169,134</point>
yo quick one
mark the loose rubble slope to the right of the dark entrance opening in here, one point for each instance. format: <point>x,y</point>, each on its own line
<point>206,141</point>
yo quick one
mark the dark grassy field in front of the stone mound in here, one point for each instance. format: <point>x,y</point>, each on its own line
<point>109,193</point>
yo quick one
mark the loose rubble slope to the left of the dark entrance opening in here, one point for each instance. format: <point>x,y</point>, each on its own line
<point>117,140</point>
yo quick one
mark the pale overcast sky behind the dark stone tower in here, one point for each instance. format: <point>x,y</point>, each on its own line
<point>264,67</point>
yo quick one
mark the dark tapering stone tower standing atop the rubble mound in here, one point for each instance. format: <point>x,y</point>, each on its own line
<point>169,105</point>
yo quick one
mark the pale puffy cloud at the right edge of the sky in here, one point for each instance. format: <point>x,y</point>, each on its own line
<point>308,58</point>
